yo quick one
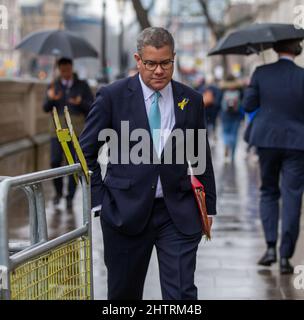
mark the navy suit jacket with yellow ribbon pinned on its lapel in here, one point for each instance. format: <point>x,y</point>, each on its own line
<point>128,190</point>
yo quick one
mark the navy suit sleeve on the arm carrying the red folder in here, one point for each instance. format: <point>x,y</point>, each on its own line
<point>207,178</point>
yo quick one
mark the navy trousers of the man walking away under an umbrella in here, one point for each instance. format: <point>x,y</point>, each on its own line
<point>282,175</point>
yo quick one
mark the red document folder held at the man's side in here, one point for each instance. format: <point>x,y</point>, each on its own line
<point>200,197</point>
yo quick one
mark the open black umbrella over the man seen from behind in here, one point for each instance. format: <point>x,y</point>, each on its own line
<point>256,38</point>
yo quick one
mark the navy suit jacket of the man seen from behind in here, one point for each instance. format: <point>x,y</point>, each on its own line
<point>277,91</point>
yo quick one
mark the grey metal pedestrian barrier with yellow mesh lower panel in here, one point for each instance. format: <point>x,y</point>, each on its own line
<point>43,269</point>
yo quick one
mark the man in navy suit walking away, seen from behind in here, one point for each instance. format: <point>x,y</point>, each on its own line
<point>277,90</point>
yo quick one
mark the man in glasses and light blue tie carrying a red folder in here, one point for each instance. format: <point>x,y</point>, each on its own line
<point>146,205</point>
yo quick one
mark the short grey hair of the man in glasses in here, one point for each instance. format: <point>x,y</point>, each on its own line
<point>155,37</point>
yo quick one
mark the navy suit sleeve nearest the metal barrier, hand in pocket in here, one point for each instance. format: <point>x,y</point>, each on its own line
<point>99,118</point>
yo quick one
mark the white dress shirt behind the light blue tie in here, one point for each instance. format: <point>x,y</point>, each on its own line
<point>166,107</point>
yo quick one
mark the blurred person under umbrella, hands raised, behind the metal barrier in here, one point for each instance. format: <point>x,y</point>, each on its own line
<point>67,90</point>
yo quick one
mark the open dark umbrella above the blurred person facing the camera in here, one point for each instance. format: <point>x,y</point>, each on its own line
<point>57,43</point>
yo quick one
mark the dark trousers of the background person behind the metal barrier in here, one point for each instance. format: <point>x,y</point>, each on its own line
<point>56,161</point>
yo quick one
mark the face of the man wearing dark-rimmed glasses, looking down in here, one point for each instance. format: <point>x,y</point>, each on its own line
<point>158,59</point>
